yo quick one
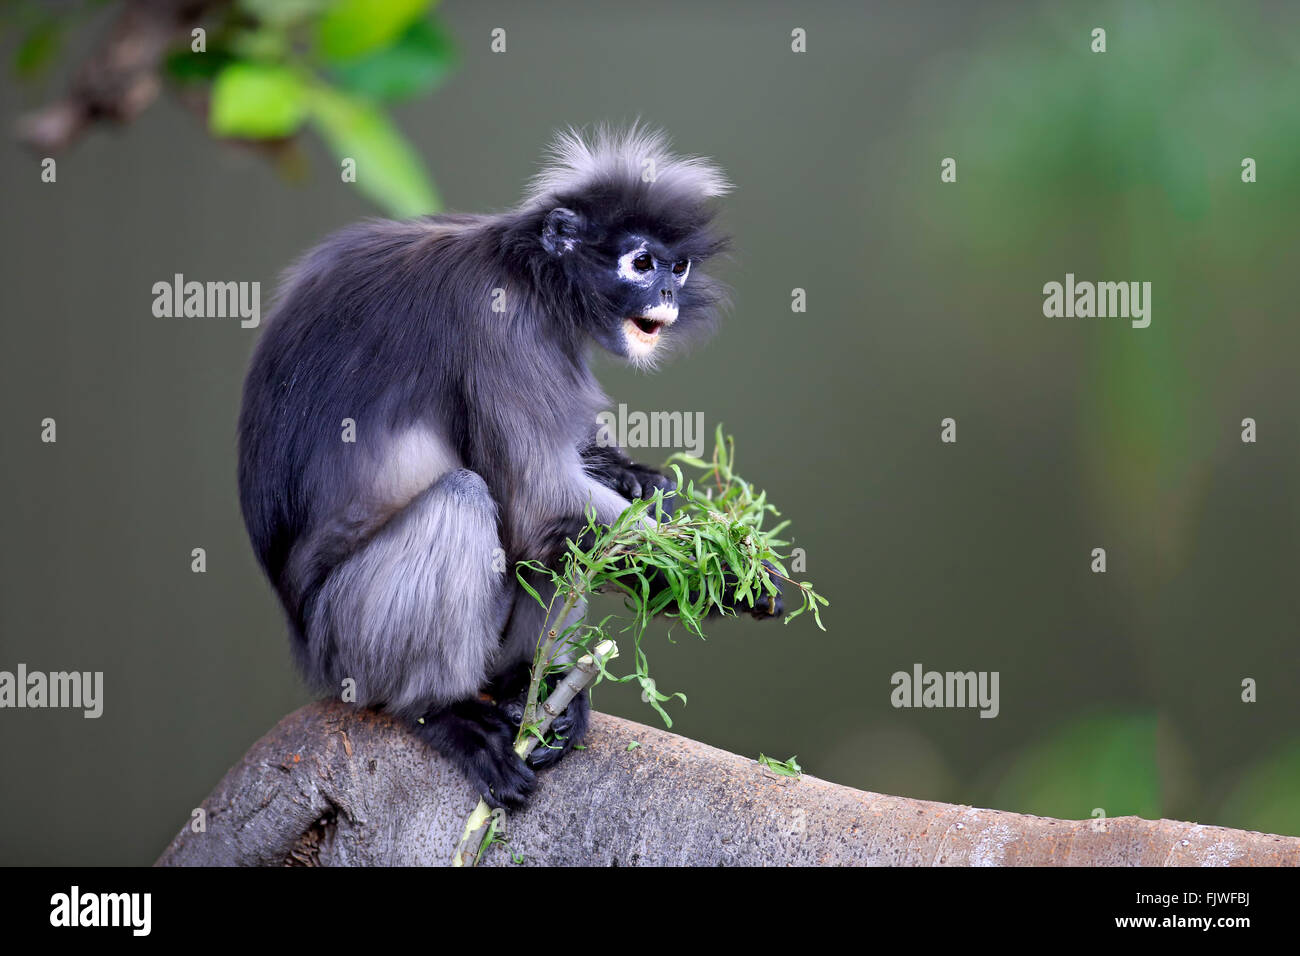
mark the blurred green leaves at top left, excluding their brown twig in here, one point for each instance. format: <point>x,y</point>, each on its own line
<point>276,67</point>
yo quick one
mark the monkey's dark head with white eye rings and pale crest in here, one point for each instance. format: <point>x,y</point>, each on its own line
<point>630,226</point>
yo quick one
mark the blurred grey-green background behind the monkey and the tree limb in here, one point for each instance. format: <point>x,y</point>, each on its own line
<point>1119,691</point>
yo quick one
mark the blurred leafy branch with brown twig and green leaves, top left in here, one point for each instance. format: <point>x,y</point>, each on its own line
<point>263,71</point>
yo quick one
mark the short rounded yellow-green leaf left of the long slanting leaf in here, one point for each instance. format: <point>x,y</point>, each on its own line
<point>258,102</point>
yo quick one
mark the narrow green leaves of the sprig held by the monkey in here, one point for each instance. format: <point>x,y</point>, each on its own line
<point>713,542</point>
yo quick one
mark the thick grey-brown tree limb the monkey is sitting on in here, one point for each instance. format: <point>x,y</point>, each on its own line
<point>335,786</point>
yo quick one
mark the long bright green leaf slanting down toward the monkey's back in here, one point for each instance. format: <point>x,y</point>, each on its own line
<point>388,170</point>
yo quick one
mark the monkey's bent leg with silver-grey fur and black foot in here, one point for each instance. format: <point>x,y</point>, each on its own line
<point>414,618</point>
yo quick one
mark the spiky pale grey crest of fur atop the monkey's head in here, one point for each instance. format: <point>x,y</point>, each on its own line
<point>612,161</point>
